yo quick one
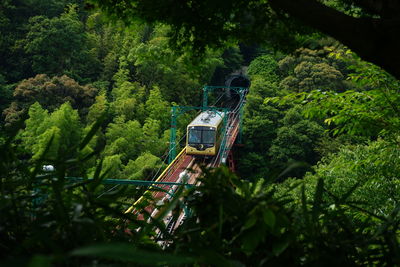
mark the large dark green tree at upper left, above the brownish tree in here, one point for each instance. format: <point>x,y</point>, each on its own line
<point>61,46</point>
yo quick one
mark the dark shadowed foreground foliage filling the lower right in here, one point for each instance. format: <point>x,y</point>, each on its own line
<point>259,224</point>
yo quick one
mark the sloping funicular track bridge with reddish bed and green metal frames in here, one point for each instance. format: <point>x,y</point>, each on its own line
<point>184,169</point>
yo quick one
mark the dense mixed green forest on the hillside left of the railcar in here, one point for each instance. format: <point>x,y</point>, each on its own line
<point>128,73</point>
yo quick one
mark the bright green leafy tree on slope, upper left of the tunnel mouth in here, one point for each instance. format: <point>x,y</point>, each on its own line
<point>156,64</point>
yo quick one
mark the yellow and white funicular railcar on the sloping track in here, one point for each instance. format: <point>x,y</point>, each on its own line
<point>204,134</point>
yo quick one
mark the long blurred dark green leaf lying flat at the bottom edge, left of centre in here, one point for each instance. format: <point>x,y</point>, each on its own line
<point>127,252</point>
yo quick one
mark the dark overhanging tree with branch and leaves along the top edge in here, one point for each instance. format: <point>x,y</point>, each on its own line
<point>371,33</point>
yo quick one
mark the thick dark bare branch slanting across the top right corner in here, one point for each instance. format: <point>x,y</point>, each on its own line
<point>374,40</point>
